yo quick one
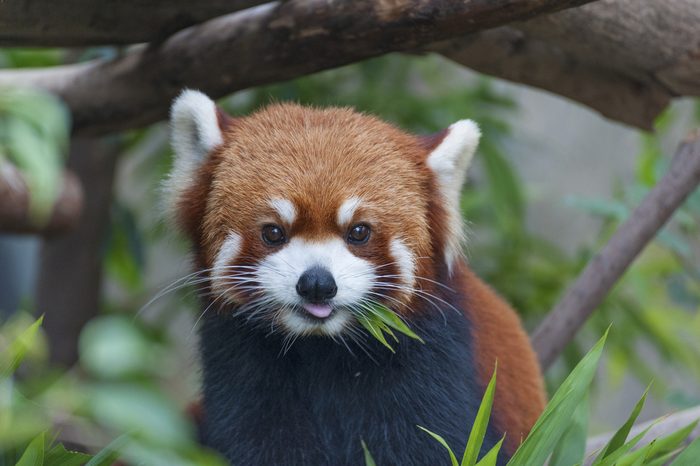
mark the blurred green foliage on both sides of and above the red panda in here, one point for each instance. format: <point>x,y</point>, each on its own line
<point>120,389</point>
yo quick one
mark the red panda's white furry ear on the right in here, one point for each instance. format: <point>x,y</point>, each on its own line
<point>450,161</point>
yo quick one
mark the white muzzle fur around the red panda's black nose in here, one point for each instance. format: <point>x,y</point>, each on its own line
<point>279,273</point>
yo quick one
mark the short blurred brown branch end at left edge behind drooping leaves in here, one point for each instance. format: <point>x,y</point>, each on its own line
<point>14,204</point>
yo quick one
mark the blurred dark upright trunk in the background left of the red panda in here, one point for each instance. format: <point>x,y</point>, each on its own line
<point>70,269</point>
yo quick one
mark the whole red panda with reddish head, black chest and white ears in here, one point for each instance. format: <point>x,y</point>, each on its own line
<point>298,218</point>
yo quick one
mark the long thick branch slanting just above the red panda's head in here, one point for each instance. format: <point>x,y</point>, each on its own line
<point>272,42</point>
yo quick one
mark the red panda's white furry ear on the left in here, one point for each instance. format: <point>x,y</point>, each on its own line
<point>194,132</point>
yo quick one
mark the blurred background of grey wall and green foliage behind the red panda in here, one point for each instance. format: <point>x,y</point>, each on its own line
<point>551,182</point>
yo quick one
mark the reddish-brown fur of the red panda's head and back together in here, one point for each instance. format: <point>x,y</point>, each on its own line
<point>318,158</point>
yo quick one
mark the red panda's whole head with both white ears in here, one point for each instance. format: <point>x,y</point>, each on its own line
<point>305,216</point>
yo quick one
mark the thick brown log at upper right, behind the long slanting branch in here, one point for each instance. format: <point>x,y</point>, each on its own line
<point>624,58</point>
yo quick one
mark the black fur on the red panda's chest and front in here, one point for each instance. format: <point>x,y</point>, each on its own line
<point>314,404</point>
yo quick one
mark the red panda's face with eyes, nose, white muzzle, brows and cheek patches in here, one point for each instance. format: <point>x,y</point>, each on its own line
<point>313,285</point>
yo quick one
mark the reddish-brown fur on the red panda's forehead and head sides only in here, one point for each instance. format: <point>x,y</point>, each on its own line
<point>316,158</point>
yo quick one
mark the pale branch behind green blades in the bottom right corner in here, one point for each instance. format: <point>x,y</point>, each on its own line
<point>659,428</point>
